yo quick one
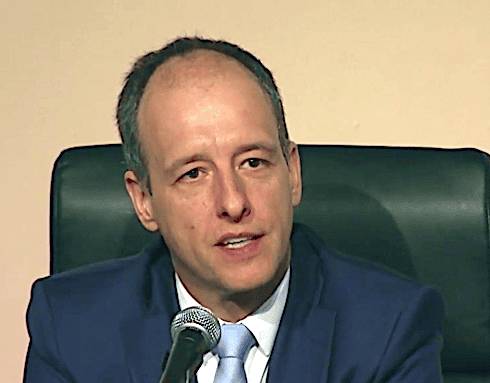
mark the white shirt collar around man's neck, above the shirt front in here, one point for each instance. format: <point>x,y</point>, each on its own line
<point>263,323</point>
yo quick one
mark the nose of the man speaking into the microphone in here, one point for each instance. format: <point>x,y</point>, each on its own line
<point>231,198</point>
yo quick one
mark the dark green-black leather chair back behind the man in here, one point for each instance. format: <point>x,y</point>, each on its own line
<point>422,212</point>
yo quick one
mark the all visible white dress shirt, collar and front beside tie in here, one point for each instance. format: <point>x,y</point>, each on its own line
<point>263,323</point>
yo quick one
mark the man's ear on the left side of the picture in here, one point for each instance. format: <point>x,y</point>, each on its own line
<point>141,199</point>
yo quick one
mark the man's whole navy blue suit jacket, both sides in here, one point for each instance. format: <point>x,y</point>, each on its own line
<point>344,321</point>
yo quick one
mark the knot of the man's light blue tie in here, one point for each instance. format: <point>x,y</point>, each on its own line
<point>236,340</point>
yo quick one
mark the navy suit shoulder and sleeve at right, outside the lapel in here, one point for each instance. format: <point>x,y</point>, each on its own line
<point>386,325</point>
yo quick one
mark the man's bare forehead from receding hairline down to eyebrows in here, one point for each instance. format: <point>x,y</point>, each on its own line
<point>200,96</point>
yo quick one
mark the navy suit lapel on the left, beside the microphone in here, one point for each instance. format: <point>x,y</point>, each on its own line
<point>146,335</point>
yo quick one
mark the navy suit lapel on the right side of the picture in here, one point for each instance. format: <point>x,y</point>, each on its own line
<point>302,348</point>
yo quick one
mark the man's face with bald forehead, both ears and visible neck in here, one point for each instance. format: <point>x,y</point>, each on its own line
<point>222,192</point>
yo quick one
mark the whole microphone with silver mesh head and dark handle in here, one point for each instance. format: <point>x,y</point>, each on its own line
<point>195,331</point>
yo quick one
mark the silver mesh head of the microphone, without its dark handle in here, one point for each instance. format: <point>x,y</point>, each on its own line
<point>200,319</point>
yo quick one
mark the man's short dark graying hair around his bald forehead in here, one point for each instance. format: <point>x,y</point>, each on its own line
<point>137,79</point>
